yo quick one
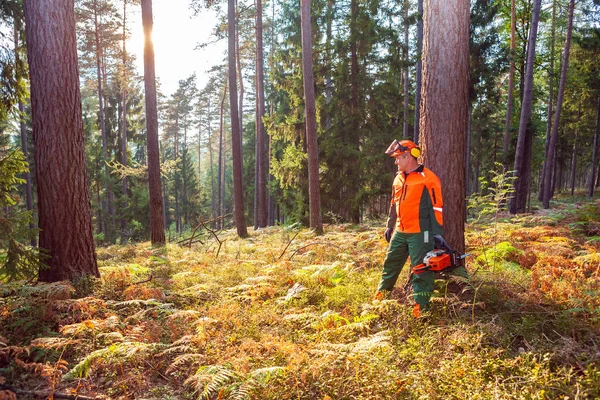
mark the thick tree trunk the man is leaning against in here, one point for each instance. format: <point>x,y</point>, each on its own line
<point>444,105</point>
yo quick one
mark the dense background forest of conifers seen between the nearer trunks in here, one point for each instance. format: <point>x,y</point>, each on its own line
<point>367,93</point>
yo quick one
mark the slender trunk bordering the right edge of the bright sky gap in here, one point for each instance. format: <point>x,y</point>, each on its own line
<point>236,140</point>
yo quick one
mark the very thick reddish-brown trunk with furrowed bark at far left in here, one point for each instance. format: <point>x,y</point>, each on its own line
<point>65,216</point>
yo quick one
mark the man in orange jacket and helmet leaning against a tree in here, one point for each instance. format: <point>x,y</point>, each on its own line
<point>414,226</point>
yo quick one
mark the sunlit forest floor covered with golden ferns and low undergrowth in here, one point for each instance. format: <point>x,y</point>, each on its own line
<point>285,314</point>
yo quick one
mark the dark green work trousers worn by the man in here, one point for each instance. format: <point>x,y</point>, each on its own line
<point>415,246</point>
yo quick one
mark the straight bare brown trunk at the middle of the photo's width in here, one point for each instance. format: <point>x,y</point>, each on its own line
<point>314,196</point>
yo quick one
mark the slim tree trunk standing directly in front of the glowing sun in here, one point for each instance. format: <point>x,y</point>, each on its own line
<point>156,201</point>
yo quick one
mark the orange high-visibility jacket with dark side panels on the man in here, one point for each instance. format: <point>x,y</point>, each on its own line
<point>417,202</point>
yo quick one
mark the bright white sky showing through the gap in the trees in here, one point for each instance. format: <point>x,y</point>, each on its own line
<point>176,33</point>
